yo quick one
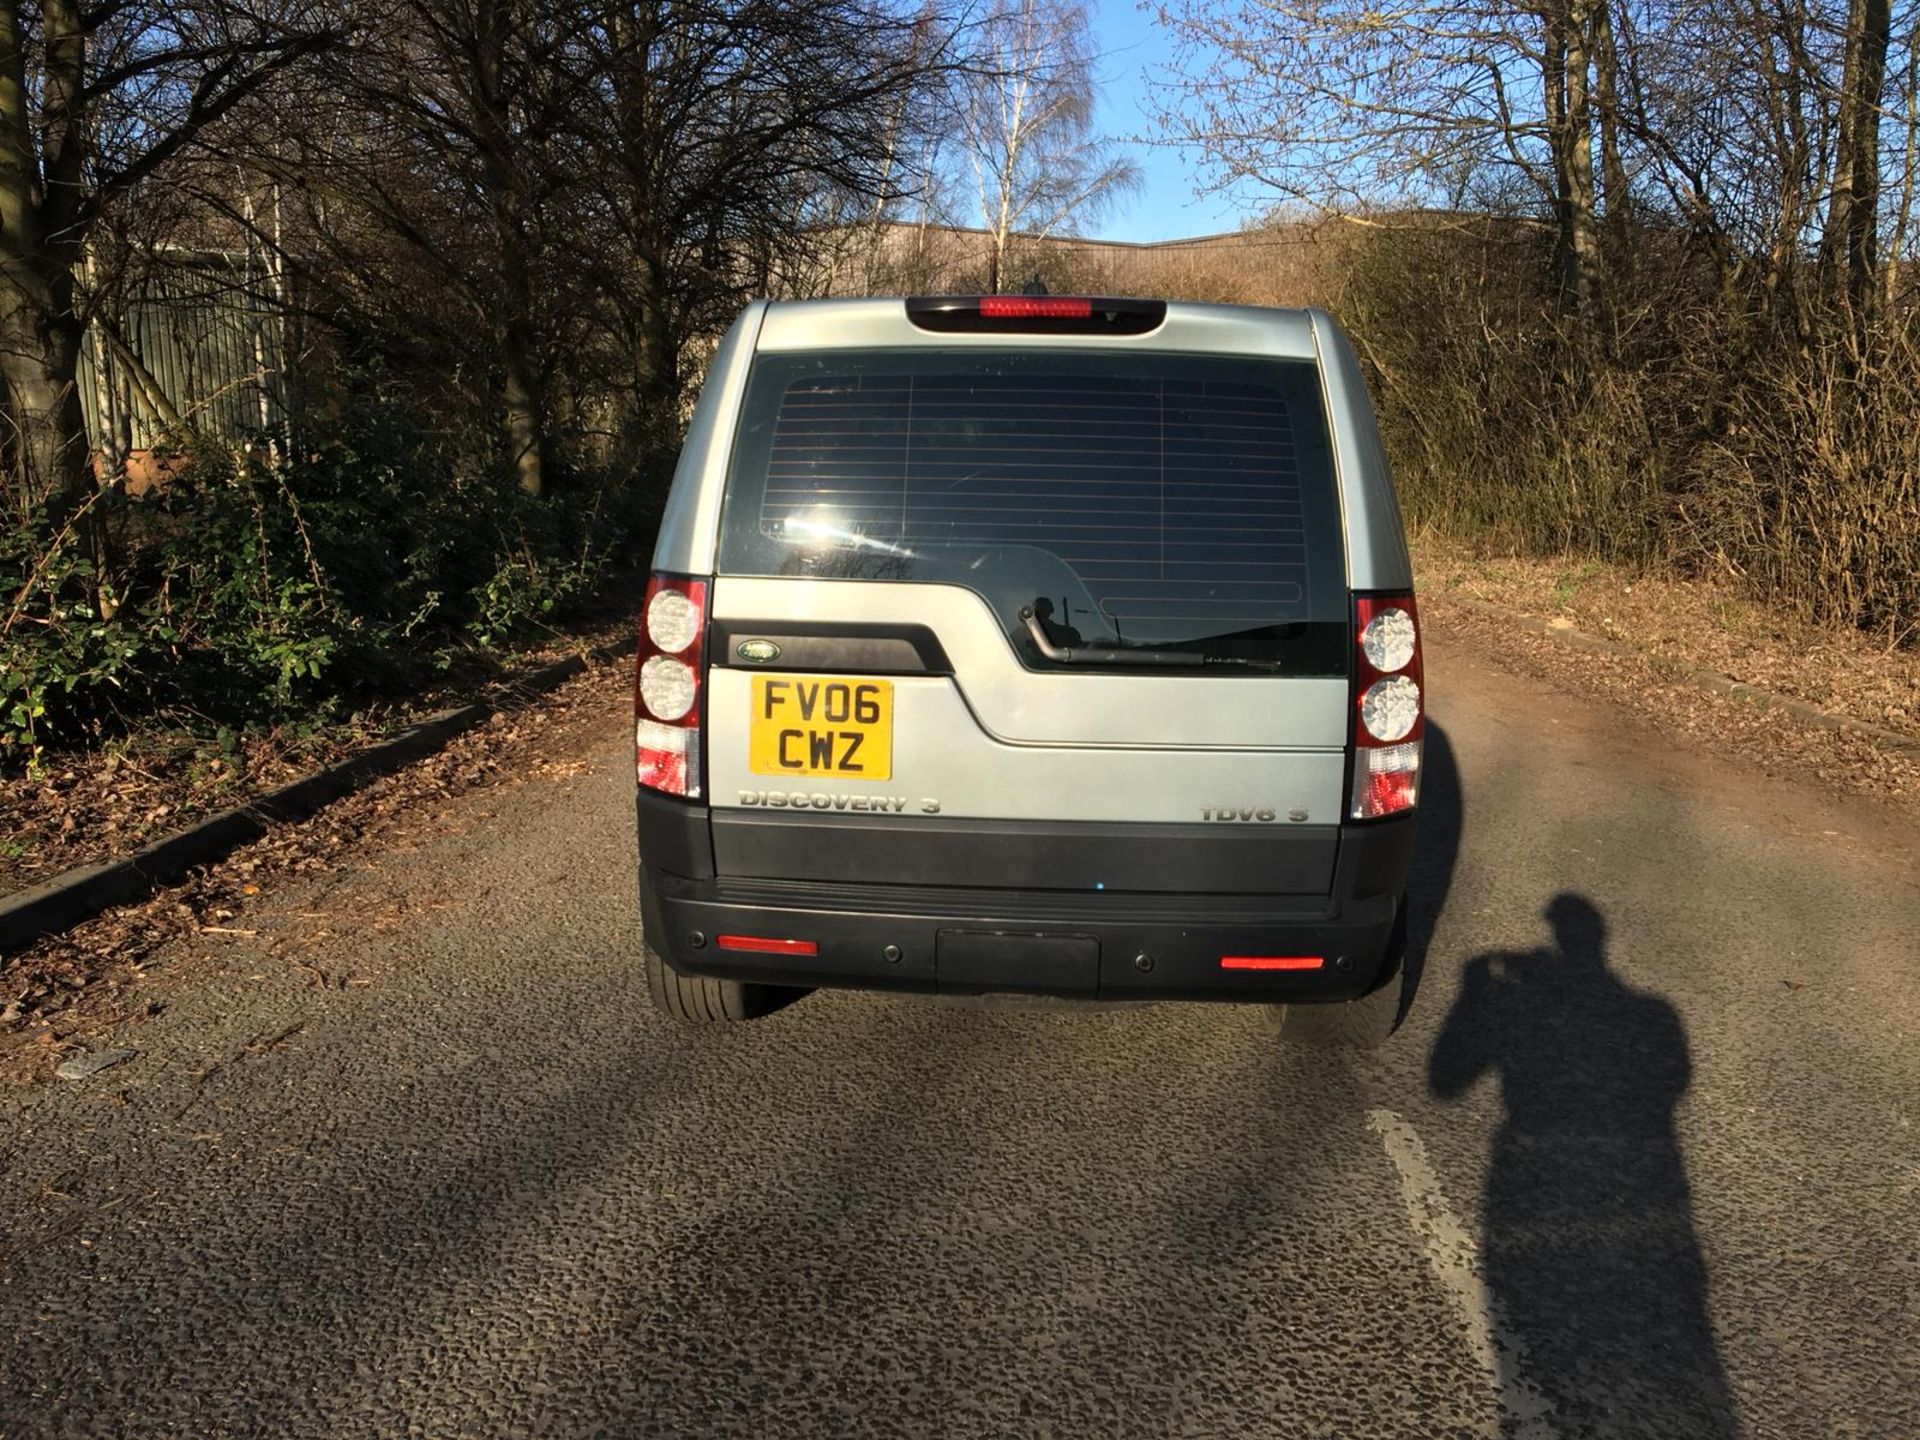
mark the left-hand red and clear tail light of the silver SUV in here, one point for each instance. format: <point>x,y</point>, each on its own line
<point>669,683</point>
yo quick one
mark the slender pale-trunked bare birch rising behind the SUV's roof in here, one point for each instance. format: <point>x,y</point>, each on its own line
<point>1026,128</point>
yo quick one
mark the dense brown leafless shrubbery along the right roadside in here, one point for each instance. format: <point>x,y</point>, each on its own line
<point>1706,435</point>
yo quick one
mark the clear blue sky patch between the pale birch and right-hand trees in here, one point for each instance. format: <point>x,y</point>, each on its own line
<point>1166,208</point>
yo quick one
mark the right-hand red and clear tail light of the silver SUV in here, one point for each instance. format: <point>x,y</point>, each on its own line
<point>1389,706</point>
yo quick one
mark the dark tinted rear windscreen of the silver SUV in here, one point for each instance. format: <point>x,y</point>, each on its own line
<point>1147,502</point>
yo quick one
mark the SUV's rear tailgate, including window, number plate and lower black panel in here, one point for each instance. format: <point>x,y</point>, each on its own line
<point>915,539</point>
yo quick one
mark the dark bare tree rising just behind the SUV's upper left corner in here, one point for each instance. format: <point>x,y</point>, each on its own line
<point>732,141</point>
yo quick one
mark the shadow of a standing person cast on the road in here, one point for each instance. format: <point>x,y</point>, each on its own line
<point>1595,1274</point>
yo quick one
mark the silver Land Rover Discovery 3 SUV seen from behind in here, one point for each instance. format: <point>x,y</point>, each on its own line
<point>1030,644</point>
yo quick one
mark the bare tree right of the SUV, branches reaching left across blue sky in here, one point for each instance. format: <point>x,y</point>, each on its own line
<point>1332,105</point>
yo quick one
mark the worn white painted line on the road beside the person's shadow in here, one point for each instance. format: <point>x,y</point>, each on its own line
<point>1456,1262</point>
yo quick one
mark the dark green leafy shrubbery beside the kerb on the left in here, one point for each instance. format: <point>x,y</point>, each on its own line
<point>252,590</point>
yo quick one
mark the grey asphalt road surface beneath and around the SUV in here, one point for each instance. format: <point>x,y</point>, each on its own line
<point>1644,1161</point>
